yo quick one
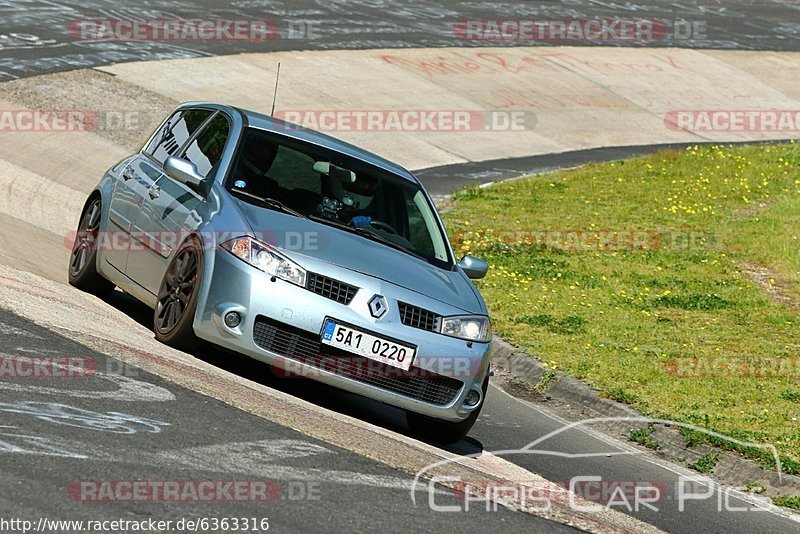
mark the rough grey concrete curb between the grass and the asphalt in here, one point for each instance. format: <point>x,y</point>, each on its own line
<point>585,401</point>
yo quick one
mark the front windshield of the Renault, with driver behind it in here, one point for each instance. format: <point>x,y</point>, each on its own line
<point>334,189</point>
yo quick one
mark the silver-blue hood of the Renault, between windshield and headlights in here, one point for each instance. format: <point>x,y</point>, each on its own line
<point>304,237</point>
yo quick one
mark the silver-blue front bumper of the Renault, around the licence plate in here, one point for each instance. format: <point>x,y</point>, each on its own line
<point>281,324</point>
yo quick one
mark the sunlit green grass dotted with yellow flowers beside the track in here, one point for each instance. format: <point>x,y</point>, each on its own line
<point>671,282</point>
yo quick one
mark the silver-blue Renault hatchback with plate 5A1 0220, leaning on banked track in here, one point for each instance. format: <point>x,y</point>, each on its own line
<point>298,250</point>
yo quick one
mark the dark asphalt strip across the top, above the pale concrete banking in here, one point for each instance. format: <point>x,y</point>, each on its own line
<point>34,36</point>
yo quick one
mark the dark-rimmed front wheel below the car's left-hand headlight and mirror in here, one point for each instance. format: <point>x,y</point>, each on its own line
<point>176,303</point>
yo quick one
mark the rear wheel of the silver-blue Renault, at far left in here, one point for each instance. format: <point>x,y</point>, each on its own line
<point>82,270</point>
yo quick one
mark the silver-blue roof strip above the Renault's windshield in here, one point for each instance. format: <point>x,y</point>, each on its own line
<point>300,133</point>
